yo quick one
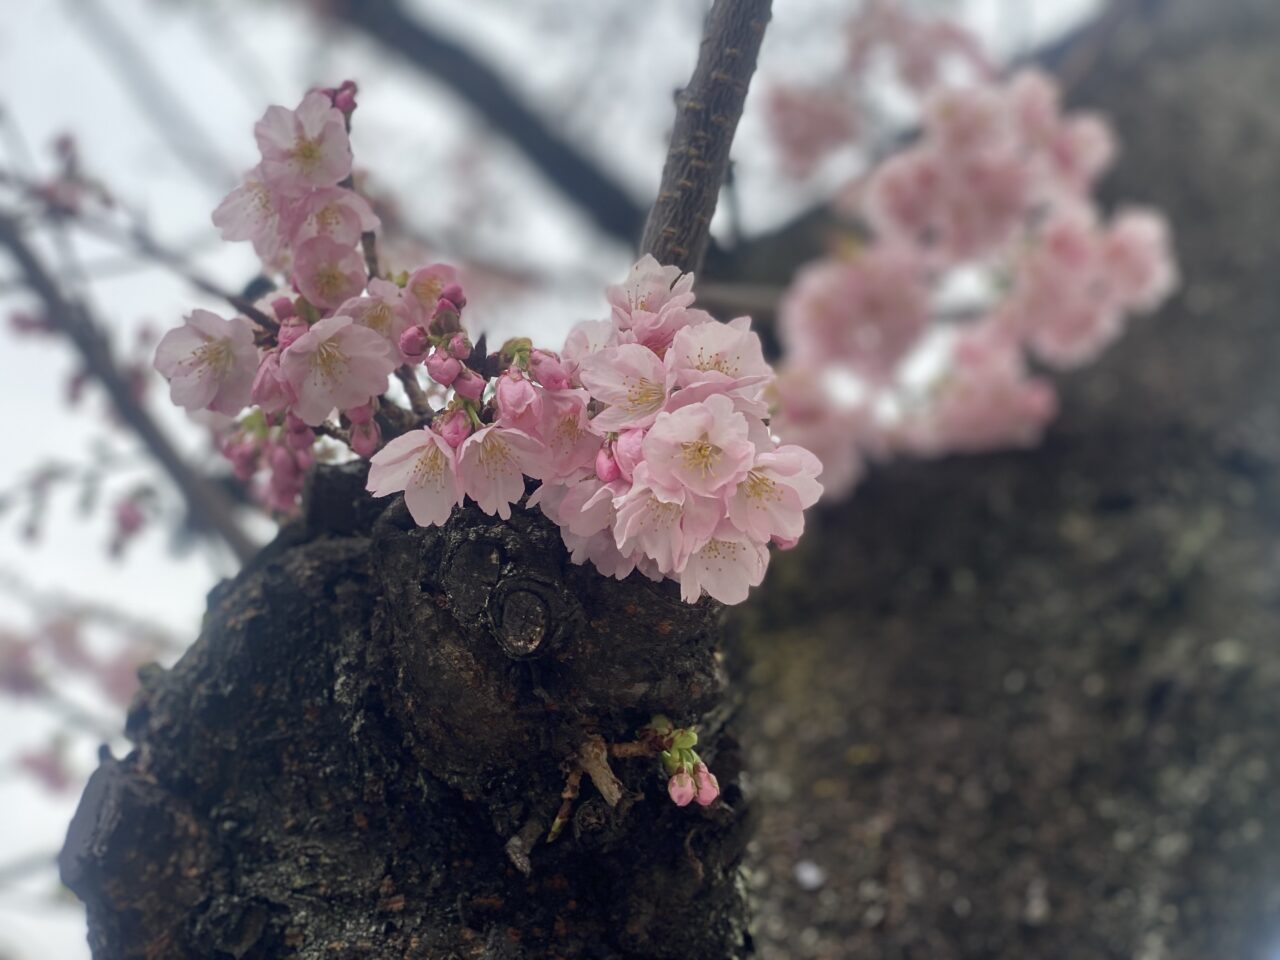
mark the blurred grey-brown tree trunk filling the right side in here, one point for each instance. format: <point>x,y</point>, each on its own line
<point>1028,706</point>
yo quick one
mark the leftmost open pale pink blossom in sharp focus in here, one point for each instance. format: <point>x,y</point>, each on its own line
<point>209,363</point>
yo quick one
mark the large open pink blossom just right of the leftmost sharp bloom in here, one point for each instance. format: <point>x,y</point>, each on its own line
<point>336,365</point>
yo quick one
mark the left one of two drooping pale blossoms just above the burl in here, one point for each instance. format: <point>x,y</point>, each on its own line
<point>423,465</point>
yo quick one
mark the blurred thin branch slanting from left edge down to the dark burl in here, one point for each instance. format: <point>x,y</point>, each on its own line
<point>207,504</point>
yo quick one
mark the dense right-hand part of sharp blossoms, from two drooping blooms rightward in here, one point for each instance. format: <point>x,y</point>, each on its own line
<point>648,433</point>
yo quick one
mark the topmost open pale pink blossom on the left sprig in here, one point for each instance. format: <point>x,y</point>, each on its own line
<point>304,149</point>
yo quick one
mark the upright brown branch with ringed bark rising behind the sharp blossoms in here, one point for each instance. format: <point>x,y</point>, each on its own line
<point>707,116</point>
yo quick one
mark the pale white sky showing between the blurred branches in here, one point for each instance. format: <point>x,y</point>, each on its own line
<point>412,136</point>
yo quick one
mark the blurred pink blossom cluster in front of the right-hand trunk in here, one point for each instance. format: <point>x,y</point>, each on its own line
<point>981,257</point>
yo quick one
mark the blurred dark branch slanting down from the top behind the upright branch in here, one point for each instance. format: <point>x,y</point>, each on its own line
<point>565,167</point>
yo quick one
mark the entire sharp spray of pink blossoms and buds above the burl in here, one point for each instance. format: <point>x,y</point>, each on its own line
<point>648,432</point>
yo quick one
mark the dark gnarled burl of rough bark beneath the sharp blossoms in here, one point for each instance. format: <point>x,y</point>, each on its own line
<point>363,756</point>
